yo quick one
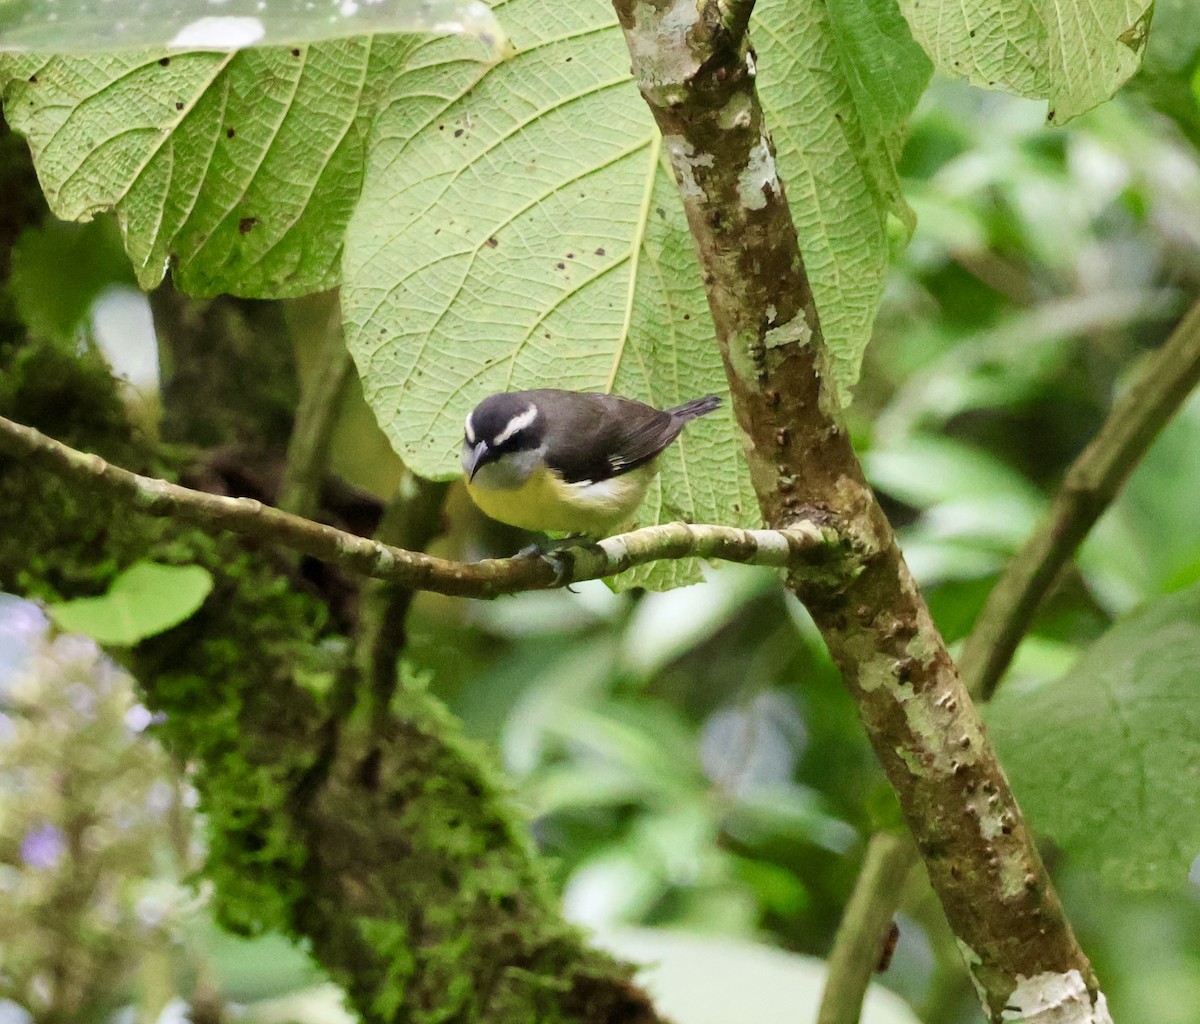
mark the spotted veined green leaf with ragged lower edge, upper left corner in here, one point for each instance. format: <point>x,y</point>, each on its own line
<point>239,169</point>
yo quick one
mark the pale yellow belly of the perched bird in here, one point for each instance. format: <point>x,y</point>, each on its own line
<point>548,505</point>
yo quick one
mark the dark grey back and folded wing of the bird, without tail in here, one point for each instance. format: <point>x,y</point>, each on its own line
<point>602,436</point>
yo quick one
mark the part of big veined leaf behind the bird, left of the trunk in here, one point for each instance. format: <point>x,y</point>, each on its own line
<point>525,232</point>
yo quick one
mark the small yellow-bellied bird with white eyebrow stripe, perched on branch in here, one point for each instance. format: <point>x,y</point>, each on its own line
<point>568,462</point>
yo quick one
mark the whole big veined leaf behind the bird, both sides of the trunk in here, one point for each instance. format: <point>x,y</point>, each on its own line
<point>530,233</point>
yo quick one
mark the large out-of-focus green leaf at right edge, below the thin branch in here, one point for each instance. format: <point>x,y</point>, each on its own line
<point>1107,760</point>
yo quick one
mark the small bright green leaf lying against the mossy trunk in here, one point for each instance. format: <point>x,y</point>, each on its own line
<point>146,600</point>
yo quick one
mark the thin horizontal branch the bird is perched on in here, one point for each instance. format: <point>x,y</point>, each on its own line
<point>803,546</point>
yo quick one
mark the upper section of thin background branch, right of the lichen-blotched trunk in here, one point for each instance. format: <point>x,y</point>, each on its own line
<point>1089,488</point>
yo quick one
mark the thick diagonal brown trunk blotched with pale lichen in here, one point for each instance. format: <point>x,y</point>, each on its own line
<point>699,81</point>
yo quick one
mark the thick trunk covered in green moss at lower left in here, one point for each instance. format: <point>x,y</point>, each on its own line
<point>389,842</point>
